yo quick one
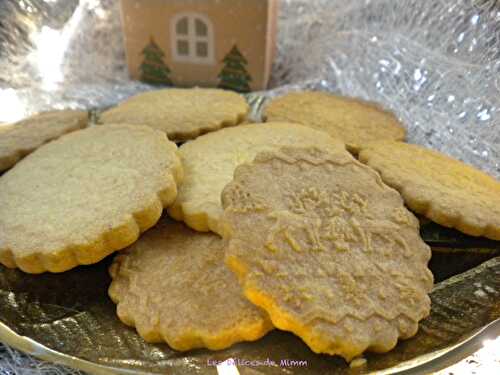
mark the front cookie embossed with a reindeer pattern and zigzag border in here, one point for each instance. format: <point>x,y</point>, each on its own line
<point>350,335</point>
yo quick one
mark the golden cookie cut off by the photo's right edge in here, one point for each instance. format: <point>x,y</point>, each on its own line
<point>442,189</point>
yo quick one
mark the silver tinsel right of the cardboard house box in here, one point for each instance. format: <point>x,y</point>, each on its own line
<point>435,63</point>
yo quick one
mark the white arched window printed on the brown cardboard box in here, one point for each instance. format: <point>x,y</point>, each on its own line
<point>192,38</point>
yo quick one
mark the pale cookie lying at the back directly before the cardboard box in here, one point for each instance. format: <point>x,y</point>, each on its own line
<point>181,113</point>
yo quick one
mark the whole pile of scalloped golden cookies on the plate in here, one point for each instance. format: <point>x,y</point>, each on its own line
<point>301,223</point>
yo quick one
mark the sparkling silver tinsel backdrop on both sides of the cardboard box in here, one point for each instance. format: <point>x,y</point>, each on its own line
<point>436,63</point>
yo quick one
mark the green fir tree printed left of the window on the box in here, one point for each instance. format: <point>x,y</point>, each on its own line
<point>153,68</point>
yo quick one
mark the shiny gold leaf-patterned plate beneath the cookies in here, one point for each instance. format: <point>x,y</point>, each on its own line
<point>69,319</point>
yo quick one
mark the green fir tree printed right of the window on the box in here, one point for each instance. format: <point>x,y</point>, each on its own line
<point>234,75</point>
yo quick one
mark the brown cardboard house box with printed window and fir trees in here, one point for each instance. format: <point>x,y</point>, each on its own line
<point>210,43</point>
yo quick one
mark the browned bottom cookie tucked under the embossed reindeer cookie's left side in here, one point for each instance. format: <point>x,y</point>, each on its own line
<point>173,286</point>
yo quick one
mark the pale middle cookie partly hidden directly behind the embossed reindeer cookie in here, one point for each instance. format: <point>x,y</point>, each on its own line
<point>210,160</point>
